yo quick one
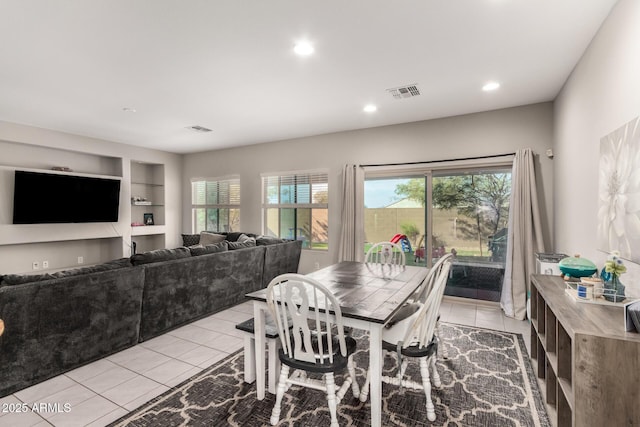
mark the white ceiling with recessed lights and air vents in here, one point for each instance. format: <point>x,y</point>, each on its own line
<point>73,65</point>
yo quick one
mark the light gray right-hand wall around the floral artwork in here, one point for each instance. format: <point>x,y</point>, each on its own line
<point>602,94</point>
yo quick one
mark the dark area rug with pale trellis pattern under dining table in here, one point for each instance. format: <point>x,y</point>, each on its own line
<point>486,381</point>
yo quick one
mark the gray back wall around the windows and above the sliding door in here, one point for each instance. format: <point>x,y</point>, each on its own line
<point>487,133</point>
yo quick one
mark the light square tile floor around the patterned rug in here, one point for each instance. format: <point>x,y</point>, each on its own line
<point>105,390</point>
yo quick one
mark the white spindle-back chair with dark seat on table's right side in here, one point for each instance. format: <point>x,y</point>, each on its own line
<point>414,336</point>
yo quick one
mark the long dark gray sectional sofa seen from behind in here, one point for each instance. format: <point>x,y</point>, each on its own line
<point>57,322</point>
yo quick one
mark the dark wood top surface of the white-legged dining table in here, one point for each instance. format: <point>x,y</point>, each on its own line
<point>367,291</point>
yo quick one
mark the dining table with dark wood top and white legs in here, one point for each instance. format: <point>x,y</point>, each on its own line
<point>369,295</point>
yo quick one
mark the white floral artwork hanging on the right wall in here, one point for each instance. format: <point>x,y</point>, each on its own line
<point>619,192</point>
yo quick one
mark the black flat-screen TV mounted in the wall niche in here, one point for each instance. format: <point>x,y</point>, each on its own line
<point>43,198</point>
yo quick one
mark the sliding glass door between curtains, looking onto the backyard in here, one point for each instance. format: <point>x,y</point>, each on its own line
<point>461,211</point>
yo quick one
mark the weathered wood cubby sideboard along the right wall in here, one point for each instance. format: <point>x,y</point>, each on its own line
<point>588,365</point>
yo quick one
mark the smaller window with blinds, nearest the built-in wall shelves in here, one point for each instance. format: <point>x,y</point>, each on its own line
<point>215,204</point>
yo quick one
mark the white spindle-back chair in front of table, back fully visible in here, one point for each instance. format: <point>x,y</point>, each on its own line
<point>309,322</point>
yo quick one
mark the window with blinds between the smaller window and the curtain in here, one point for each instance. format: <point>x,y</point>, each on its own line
<point>296,206</point>
